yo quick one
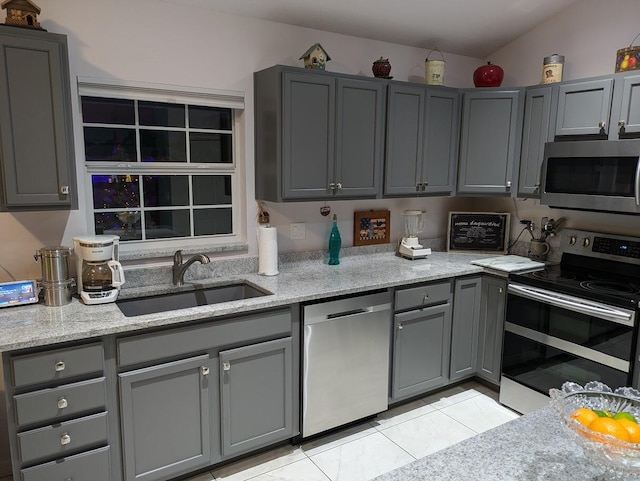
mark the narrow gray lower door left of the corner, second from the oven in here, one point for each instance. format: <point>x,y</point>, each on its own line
<point>464,331</point>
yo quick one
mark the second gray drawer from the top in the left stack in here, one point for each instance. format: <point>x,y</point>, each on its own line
<point>50,404</point>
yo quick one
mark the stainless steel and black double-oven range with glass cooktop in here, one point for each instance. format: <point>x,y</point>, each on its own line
<point>576,321</point>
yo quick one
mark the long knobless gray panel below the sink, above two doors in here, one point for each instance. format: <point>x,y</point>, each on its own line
<point>179,342</point>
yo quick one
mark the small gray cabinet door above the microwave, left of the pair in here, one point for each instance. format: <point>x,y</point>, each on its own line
<point>584,107</point>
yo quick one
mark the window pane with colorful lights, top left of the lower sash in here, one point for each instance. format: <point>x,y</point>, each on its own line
<point>112,191</point>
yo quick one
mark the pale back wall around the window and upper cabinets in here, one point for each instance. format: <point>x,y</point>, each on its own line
<point>157,41</point>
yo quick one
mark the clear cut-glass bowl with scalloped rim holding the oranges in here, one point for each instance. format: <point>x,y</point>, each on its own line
<point>620,459</point>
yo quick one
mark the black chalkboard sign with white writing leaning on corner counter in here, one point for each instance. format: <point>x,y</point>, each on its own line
<point>478,232</point>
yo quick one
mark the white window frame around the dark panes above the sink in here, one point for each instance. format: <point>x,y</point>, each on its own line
<point>131,90</point>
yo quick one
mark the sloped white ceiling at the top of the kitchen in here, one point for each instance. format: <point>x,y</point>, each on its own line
<point>475,28</point>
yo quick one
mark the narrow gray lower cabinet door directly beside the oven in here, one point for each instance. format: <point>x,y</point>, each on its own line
<point>494,291</point>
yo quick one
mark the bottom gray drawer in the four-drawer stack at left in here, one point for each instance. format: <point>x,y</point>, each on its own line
<point>89,466</point>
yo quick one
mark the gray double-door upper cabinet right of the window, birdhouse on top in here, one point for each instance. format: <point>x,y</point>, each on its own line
<point>318,135</point>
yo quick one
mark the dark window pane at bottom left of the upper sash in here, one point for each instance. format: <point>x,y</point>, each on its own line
<point>110,144</point>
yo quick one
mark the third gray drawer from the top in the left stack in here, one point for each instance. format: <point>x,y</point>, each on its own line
<point>63,438</point>
